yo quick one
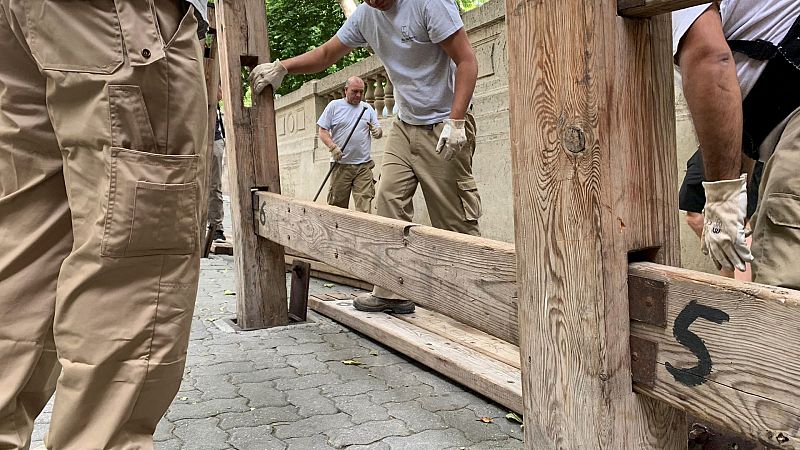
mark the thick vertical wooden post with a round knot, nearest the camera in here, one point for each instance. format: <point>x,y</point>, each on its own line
<point>592,132</point>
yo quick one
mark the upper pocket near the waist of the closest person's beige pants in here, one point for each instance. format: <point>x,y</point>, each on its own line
<point>74,36</point>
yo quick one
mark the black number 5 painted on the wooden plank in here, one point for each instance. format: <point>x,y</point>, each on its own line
<point>694,376</point>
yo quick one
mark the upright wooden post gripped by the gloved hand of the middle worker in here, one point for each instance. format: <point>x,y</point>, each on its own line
<point>252,147</point>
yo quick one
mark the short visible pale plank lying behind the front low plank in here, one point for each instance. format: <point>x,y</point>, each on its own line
<point>464,335</point>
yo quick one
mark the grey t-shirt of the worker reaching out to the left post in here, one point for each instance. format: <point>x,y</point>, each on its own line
<point>406,39</point>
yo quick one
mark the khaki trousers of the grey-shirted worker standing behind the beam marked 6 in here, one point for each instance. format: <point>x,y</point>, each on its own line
<point>410,159</point>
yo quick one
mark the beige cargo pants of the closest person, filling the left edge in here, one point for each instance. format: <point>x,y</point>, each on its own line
<point>102,119</point>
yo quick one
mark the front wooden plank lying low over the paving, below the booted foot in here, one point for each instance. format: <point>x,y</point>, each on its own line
<point>497,381</point>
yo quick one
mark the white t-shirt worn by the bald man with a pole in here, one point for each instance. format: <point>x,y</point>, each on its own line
<point>338,118</point>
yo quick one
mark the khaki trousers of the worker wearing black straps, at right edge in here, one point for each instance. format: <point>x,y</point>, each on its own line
<point>776,223</point>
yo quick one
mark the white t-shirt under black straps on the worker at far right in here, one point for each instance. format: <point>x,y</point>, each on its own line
<point>769,20</point>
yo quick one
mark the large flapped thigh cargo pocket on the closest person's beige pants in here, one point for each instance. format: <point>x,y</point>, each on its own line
<point>151,205</point>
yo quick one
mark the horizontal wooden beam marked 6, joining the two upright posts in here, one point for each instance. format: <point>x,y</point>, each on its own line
<point>468,278</point>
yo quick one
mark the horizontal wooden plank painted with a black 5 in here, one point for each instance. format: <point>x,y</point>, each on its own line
<point>753,359</point>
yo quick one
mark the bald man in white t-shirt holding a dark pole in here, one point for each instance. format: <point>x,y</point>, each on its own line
<point>353,164</point>
